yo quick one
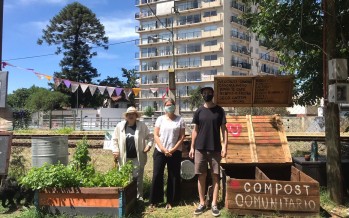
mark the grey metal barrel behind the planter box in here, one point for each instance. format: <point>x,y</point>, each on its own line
<point>51,150</point>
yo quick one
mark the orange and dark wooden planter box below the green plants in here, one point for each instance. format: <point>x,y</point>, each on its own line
<point>111,201</point>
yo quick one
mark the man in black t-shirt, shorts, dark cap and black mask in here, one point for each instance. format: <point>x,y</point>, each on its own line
<point>207,148</point>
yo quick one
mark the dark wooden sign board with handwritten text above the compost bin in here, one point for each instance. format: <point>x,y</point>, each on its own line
<point>253,91</point>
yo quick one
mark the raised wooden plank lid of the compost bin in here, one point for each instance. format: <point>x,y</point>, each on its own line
<point>256,139</point>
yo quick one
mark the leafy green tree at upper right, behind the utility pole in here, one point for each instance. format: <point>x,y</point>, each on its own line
<point>294,28</point>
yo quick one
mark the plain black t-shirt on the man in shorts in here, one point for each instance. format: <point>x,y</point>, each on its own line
<point>209,121</point>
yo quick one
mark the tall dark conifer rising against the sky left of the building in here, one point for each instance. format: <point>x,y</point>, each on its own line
<point>74,31</point>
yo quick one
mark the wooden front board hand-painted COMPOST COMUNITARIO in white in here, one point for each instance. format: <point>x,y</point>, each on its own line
<point>273,195</point>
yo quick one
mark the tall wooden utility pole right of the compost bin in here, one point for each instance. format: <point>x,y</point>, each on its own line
<point>333,167</point>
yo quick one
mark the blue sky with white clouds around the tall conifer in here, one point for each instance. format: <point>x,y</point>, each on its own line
<point>22,26</point>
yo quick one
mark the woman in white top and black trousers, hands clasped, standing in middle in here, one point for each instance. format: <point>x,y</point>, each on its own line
<point>169,134</point>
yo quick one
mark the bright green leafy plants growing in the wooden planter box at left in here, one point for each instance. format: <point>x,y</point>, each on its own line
<point>78,173</point>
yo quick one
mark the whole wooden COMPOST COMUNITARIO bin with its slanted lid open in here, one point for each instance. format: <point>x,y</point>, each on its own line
<point>258,177</point>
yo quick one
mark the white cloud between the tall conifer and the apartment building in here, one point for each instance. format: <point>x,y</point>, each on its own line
<point>117,28</point>
